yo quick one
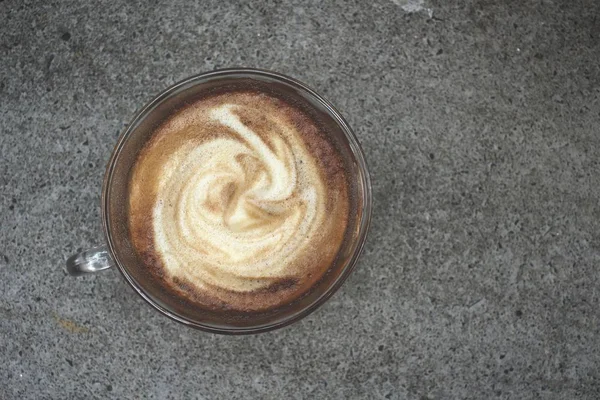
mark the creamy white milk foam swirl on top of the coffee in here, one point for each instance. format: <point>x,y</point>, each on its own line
<point>235,211</point>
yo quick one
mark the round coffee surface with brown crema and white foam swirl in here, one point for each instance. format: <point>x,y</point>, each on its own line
<point>238,201</point>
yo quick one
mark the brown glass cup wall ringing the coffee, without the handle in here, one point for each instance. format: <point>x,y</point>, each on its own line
<point>115,201</point>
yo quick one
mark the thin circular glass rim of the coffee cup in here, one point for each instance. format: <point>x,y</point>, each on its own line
<point>357,152</point>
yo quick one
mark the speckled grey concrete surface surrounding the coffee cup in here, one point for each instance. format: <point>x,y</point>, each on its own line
<point>481,124</point>
